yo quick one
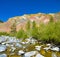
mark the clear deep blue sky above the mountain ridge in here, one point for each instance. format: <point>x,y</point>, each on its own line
<point>11,8</point>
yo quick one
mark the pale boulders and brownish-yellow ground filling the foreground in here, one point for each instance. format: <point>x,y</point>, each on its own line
<point>13,47</point>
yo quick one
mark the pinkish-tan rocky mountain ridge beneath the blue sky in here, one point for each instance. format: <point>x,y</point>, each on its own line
<point>22,20</point>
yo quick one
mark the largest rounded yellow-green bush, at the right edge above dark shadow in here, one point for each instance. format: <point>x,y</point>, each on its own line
<point>50,32</point>
